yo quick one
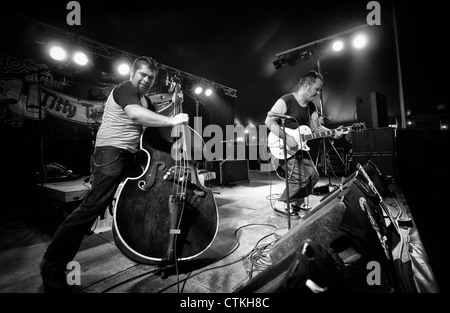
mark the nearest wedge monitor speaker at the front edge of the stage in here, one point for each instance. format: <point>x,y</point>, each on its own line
<point>291,266</point>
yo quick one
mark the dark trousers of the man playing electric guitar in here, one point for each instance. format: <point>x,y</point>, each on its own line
<point>303,176</point>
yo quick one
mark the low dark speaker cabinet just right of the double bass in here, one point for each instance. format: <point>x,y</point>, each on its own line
<point>229,171</point>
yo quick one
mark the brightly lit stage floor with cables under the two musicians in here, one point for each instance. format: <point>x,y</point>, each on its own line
<point>247,225</point>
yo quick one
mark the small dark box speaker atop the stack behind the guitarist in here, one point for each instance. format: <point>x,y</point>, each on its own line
<point>372,110</point>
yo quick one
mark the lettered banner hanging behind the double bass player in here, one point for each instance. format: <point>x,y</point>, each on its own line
<point>21,81</point>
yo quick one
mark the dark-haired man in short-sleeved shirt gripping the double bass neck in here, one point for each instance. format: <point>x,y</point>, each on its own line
<point>127,111</point>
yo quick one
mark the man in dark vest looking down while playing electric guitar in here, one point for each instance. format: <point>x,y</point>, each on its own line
<point>297,108</point>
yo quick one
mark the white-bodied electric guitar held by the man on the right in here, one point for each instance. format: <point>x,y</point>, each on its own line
<point>302,135</point>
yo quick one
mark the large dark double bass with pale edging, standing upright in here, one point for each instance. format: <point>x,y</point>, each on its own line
<point>165,214</point>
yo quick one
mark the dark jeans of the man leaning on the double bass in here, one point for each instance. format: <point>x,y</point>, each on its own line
<point>109,165</point>
